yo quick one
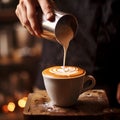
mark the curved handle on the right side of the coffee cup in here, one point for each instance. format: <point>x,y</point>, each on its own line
<point>87,79</point>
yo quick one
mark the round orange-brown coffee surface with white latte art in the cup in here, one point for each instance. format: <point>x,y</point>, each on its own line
<point>64,72</point>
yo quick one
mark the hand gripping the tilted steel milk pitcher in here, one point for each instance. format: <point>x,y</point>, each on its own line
<point>27,13</point>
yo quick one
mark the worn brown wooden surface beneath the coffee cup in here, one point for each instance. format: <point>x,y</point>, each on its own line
<point>91,105</point>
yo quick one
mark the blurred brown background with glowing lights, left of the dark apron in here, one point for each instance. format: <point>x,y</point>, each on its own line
<point>19,61</point>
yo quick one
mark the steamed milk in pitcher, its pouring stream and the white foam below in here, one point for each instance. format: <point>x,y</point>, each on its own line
<point>64,36</point>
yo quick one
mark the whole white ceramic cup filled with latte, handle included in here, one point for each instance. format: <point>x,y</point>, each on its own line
<point>64,84</point>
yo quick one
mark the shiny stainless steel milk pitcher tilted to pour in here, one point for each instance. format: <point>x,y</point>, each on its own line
<point>60,28</point>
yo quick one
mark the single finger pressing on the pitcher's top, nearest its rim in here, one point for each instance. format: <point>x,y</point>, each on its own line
<point>47,7</point>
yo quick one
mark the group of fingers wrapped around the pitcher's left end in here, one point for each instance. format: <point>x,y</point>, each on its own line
<point>26,12</point>
